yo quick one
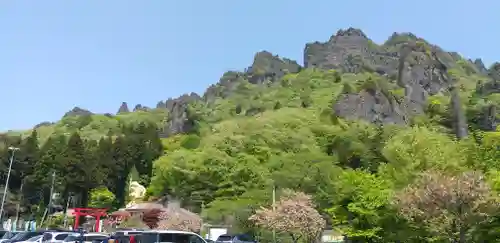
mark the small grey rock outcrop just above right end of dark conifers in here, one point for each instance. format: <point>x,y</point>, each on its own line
<point>179,119</point>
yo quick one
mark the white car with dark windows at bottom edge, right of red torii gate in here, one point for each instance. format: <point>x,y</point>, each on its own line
<point>173,236</point>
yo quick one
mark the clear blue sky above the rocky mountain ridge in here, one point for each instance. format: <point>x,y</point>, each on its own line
<point>57,54</point>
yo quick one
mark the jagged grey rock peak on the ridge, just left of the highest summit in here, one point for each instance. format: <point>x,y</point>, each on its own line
<point>265,67</point>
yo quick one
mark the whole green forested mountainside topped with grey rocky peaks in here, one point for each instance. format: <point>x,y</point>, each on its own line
<point>360,127</point>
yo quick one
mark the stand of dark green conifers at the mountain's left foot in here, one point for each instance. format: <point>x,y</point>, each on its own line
<point>76,166</point>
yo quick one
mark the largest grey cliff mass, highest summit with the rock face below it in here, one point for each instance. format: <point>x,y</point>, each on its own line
<point>418,67</point>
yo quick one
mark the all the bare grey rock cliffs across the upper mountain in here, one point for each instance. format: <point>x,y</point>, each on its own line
<point>414,66</point>
